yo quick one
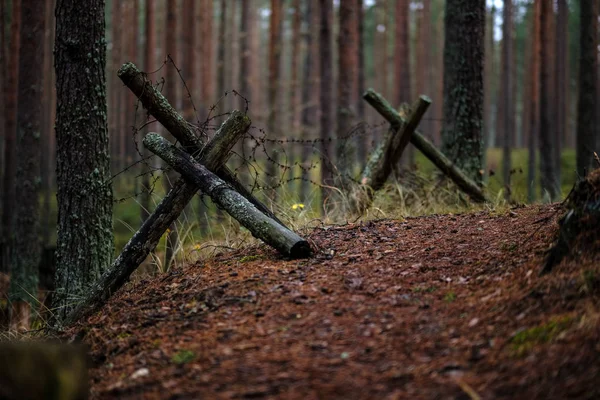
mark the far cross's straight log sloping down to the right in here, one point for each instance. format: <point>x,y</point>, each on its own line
<point>427,148</point>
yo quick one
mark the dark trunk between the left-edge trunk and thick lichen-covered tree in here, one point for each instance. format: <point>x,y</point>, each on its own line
<point>25,248</point>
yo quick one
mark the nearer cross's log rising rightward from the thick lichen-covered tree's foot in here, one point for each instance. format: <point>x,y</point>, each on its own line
<point>215,154</point>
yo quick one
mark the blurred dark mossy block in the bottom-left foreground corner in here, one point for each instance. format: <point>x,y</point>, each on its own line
<point>43,371</point>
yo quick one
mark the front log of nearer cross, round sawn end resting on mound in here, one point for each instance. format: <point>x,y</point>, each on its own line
<point>261,226</point>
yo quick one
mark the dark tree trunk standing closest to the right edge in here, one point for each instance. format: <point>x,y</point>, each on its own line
<point>587,129</point>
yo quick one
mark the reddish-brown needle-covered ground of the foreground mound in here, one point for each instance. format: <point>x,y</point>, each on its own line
<point>436,307</point>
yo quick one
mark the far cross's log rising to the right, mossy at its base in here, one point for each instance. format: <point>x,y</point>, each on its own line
<point>388,153</point>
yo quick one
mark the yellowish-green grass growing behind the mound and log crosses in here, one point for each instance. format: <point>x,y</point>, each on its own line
<point>419,194</point>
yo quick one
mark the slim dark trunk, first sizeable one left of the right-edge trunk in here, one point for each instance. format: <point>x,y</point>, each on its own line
<point>549,181</point>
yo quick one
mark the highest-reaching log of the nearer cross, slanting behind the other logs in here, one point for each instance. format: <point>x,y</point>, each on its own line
<point>159,107</point>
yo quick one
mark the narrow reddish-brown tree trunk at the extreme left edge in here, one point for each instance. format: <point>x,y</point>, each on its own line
<point>10,96</point>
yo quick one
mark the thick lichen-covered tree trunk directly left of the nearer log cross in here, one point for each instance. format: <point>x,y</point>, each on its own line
<point>85,238</point>
